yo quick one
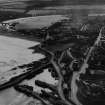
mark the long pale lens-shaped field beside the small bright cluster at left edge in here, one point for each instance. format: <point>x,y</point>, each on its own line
<point>37,22</point>
